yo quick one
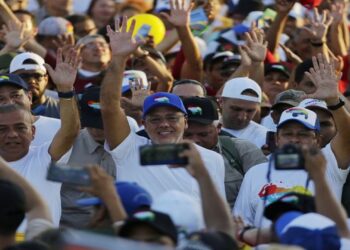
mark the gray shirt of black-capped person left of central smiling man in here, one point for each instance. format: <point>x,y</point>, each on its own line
<point>85,151</point>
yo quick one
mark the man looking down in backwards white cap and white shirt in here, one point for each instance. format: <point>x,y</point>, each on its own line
<point>241,98</point>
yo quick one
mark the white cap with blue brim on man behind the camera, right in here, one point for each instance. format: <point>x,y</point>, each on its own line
<point>304,116</point>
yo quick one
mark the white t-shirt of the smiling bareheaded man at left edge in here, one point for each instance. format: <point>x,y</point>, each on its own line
<point>33,167</point>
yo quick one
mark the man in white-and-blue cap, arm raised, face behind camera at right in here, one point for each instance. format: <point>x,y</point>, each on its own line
<point>264,184</point>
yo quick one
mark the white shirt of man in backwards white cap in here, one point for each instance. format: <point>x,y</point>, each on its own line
<point>254,133</point>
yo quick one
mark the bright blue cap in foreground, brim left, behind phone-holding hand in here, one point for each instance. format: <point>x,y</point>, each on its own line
<point>132,195</point>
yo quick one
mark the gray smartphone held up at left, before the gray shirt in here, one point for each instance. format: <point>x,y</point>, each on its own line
<point>69,175</point>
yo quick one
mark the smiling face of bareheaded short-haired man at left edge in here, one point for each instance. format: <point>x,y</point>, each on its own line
<point>16,133</point>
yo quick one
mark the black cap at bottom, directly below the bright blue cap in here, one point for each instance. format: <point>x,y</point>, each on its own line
<point>158,221</point>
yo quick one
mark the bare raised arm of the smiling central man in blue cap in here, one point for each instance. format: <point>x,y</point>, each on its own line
<point>122,44</point>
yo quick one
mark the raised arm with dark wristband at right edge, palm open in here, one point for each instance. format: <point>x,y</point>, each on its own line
<point>325,78</point>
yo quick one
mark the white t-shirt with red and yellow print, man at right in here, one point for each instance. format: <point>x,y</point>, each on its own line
<point>255,188</point>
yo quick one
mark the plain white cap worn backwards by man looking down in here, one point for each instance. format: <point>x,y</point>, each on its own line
<point>236,86</point>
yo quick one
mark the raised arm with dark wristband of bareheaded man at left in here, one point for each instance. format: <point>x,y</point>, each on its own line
<point>64,77</point>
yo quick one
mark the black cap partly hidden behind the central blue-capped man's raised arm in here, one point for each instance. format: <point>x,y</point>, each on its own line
<point>90,110</point>
